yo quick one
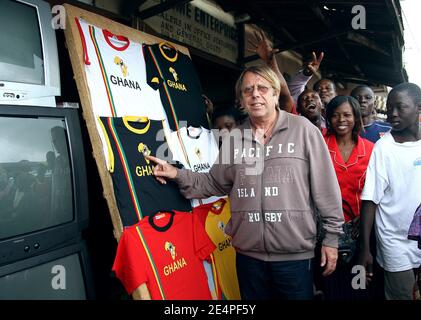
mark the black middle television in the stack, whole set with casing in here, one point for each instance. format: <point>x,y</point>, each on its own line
<point>43,184</point>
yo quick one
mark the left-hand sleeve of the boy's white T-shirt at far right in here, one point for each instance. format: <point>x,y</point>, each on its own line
<point>376,181</point>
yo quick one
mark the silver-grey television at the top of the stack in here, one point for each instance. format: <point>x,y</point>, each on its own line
<point>29,65</point>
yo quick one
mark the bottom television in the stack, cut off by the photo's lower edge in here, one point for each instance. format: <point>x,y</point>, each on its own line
<point>62,274</point>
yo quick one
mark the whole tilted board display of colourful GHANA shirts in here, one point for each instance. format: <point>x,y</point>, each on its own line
<point>138,93</point>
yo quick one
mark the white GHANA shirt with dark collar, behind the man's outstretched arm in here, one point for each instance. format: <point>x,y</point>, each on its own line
<point>197,150</point>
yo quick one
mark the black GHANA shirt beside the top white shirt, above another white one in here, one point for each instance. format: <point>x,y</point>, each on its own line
<point>179,85</point>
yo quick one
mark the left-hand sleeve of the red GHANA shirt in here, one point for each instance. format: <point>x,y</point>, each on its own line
<point>129,264</point>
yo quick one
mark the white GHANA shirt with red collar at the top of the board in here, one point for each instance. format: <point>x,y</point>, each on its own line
<point>116,73</point>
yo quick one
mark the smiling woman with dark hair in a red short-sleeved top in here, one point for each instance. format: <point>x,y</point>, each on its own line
<point>350,155</point>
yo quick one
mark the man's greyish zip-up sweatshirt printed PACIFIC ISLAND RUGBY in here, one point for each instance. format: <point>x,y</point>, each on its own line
<point>274,190</point>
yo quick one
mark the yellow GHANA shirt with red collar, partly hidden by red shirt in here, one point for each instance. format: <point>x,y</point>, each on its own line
<point>215,216</point>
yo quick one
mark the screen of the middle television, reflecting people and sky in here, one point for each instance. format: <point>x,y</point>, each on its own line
<point>35,175</point>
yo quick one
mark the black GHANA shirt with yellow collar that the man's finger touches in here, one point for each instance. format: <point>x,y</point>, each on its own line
<point>136,189</point>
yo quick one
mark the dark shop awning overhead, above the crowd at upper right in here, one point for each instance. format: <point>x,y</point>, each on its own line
<point>372,55</point>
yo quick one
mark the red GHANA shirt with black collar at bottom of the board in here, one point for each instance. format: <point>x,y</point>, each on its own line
<point>166,251</point>
